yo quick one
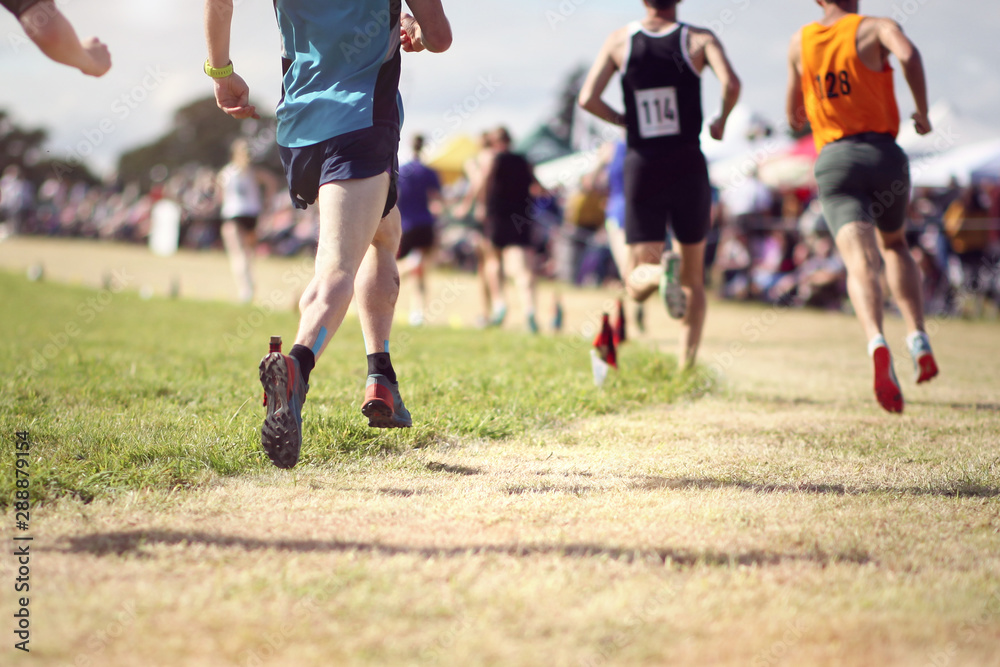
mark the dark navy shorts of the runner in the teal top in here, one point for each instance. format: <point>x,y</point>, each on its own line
<point>360,154</point>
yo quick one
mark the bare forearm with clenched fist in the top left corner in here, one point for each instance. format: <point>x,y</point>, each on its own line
<point>55,36</point>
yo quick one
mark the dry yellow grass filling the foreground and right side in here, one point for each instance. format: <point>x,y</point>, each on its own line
<point>785,520</point>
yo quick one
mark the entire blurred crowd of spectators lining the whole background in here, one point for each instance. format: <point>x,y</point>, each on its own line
<point>766,244</point>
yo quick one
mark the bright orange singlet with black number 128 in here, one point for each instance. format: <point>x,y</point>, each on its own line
<point>842,95</point>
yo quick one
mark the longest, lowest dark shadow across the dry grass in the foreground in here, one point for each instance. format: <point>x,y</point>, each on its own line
<point>133,543</point>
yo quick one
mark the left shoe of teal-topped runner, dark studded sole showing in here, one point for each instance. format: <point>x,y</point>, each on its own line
<point>284,394</point>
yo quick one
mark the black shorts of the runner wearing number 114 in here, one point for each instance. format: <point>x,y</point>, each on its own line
<point>670,190</point>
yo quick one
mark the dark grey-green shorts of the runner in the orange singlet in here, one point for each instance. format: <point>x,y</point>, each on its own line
<point>863,178</point>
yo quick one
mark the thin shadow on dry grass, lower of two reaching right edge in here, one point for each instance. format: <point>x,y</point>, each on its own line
<point>952,491</point>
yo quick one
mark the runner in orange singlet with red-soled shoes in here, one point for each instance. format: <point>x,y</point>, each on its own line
<point>840,80</point>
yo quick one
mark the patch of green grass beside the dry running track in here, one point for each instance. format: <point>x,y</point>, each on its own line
<point>120,393</point>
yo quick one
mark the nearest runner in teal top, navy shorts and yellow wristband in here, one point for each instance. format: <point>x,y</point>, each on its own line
<point>338,133</point>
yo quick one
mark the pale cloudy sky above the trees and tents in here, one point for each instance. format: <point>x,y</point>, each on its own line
<point>507,63</point>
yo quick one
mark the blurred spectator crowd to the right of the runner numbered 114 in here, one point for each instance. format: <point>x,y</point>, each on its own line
<point>774,246</point>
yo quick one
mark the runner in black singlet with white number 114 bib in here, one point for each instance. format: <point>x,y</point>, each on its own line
<point>666,177</point>
